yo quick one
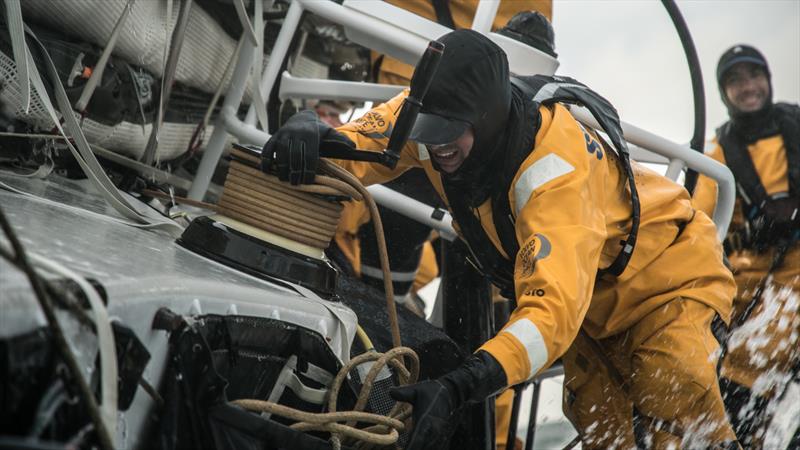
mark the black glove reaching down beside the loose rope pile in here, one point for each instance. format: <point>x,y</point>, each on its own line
<point>436,401</point>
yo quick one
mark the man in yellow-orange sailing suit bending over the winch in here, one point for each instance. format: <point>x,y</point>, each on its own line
<point>639,341</point>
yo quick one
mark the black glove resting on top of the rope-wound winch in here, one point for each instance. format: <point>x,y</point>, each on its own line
<point>293,151</point>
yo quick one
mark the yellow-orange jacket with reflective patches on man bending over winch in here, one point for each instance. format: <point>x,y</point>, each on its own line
<point>571,209</point>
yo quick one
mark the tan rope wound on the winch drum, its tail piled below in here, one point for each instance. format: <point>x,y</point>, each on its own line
<point>309,214</point>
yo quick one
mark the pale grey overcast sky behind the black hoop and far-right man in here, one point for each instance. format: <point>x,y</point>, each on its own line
<point>629,51</point>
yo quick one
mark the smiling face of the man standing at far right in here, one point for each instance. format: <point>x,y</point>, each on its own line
<point>747,87</point>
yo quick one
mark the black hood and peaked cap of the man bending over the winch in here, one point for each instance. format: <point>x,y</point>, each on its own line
<point>472,85</point>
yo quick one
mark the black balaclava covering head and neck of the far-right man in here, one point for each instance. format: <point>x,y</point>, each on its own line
<point>749,125</point>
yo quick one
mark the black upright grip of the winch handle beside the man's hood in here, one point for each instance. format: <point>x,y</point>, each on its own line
<point>420,82</point>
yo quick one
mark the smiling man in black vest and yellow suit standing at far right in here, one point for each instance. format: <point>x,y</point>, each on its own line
<point>761,145</point>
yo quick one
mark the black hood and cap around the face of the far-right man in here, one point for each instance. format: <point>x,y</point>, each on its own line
<point>744,54</point>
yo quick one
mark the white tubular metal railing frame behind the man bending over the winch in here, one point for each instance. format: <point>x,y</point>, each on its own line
<point>375,23</point>
